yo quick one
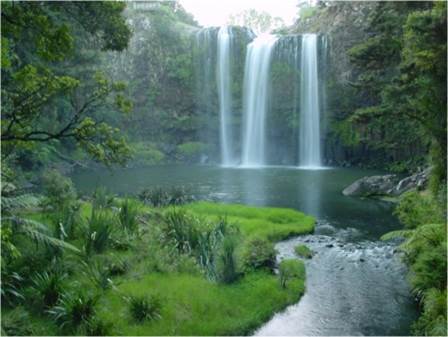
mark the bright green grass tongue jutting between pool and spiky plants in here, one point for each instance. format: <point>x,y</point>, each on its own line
<point>273,224</point>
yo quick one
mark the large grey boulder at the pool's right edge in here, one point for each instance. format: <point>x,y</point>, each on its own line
<point>373,185</point>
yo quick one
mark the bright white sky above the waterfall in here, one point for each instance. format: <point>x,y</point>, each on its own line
<point>217,12</point>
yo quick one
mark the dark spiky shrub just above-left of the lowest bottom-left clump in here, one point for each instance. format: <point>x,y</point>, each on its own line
<point>48,287</point>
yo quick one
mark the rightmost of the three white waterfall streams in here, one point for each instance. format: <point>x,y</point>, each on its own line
<point>309,128</point>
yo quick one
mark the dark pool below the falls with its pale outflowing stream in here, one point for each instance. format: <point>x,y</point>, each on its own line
<point>355,284</point>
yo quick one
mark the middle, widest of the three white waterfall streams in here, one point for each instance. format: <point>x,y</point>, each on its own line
<point>255,96</point>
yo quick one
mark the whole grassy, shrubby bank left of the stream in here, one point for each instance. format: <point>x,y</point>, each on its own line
<point>120,266</point>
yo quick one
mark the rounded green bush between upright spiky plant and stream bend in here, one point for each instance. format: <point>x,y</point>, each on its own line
<point>258,253</point>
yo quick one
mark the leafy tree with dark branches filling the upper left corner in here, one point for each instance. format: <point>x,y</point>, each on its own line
<point>43,98</point>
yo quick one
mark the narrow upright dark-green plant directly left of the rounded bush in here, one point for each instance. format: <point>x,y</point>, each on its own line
<point>226,264</point>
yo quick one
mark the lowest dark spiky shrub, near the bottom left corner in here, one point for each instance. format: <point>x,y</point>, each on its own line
<point>73,310</point>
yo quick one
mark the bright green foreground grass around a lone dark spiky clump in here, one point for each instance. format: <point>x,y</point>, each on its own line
<point>192,305</point>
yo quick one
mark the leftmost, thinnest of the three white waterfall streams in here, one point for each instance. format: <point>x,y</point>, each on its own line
<point>225,96</point>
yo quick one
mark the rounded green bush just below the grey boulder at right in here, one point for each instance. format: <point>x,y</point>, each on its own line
<point>415,209</point>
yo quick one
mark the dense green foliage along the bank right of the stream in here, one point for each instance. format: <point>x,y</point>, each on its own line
<point>424,218</point>
